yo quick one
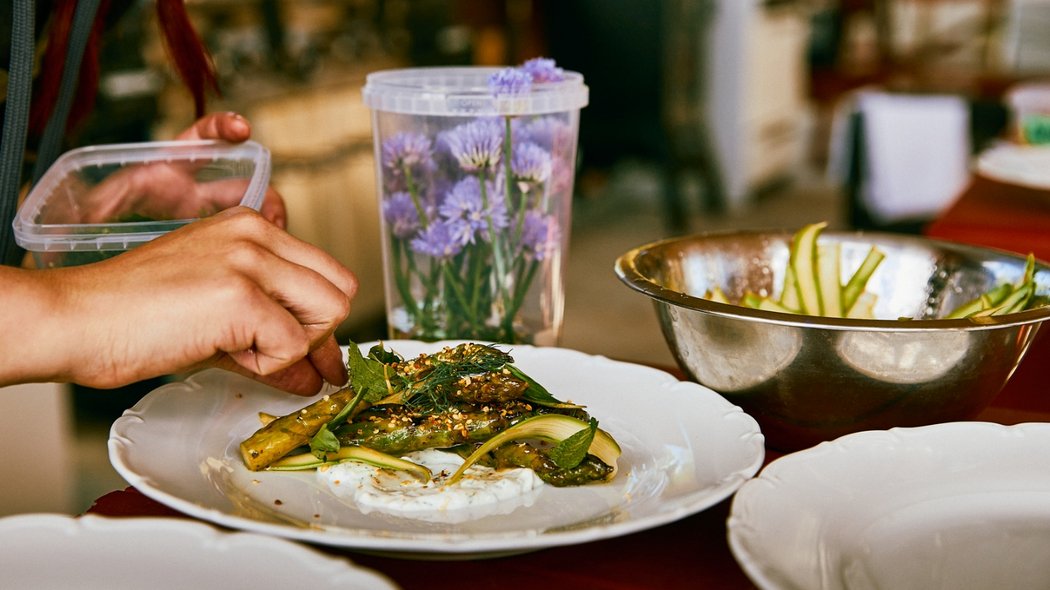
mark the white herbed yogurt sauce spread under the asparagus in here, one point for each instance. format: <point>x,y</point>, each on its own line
<point>482,492</point>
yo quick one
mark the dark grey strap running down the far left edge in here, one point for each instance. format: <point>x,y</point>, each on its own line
<point>16,120</point>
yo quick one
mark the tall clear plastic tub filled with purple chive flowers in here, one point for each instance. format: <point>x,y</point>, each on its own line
<point>475,181</point>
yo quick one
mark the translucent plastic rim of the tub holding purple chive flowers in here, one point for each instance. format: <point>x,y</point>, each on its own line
<point>459,92</point>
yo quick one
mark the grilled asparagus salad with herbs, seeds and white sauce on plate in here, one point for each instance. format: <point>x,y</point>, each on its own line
<point>470,405</point>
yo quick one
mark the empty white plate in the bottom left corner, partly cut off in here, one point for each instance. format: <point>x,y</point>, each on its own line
<point>44,552</point>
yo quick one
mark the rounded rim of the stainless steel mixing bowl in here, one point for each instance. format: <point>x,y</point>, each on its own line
<point>627,271</point>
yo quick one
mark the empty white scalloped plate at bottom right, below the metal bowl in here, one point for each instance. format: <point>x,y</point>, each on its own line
<point>958,505</point>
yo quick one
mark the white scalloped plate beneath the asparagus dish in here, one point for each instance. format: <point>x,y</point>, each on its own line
<point>685,449</point>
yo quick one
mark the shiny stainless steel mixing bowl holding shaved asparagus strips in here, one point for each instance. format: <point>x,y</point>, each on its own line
<point>808,380</point>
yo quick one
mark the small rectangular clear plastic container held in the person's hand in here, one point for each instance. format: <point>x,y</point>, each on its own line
<point>97,202</point>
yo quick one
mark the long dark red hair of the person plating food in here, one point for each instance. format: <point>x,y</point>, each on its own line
<point>185,49</point>
